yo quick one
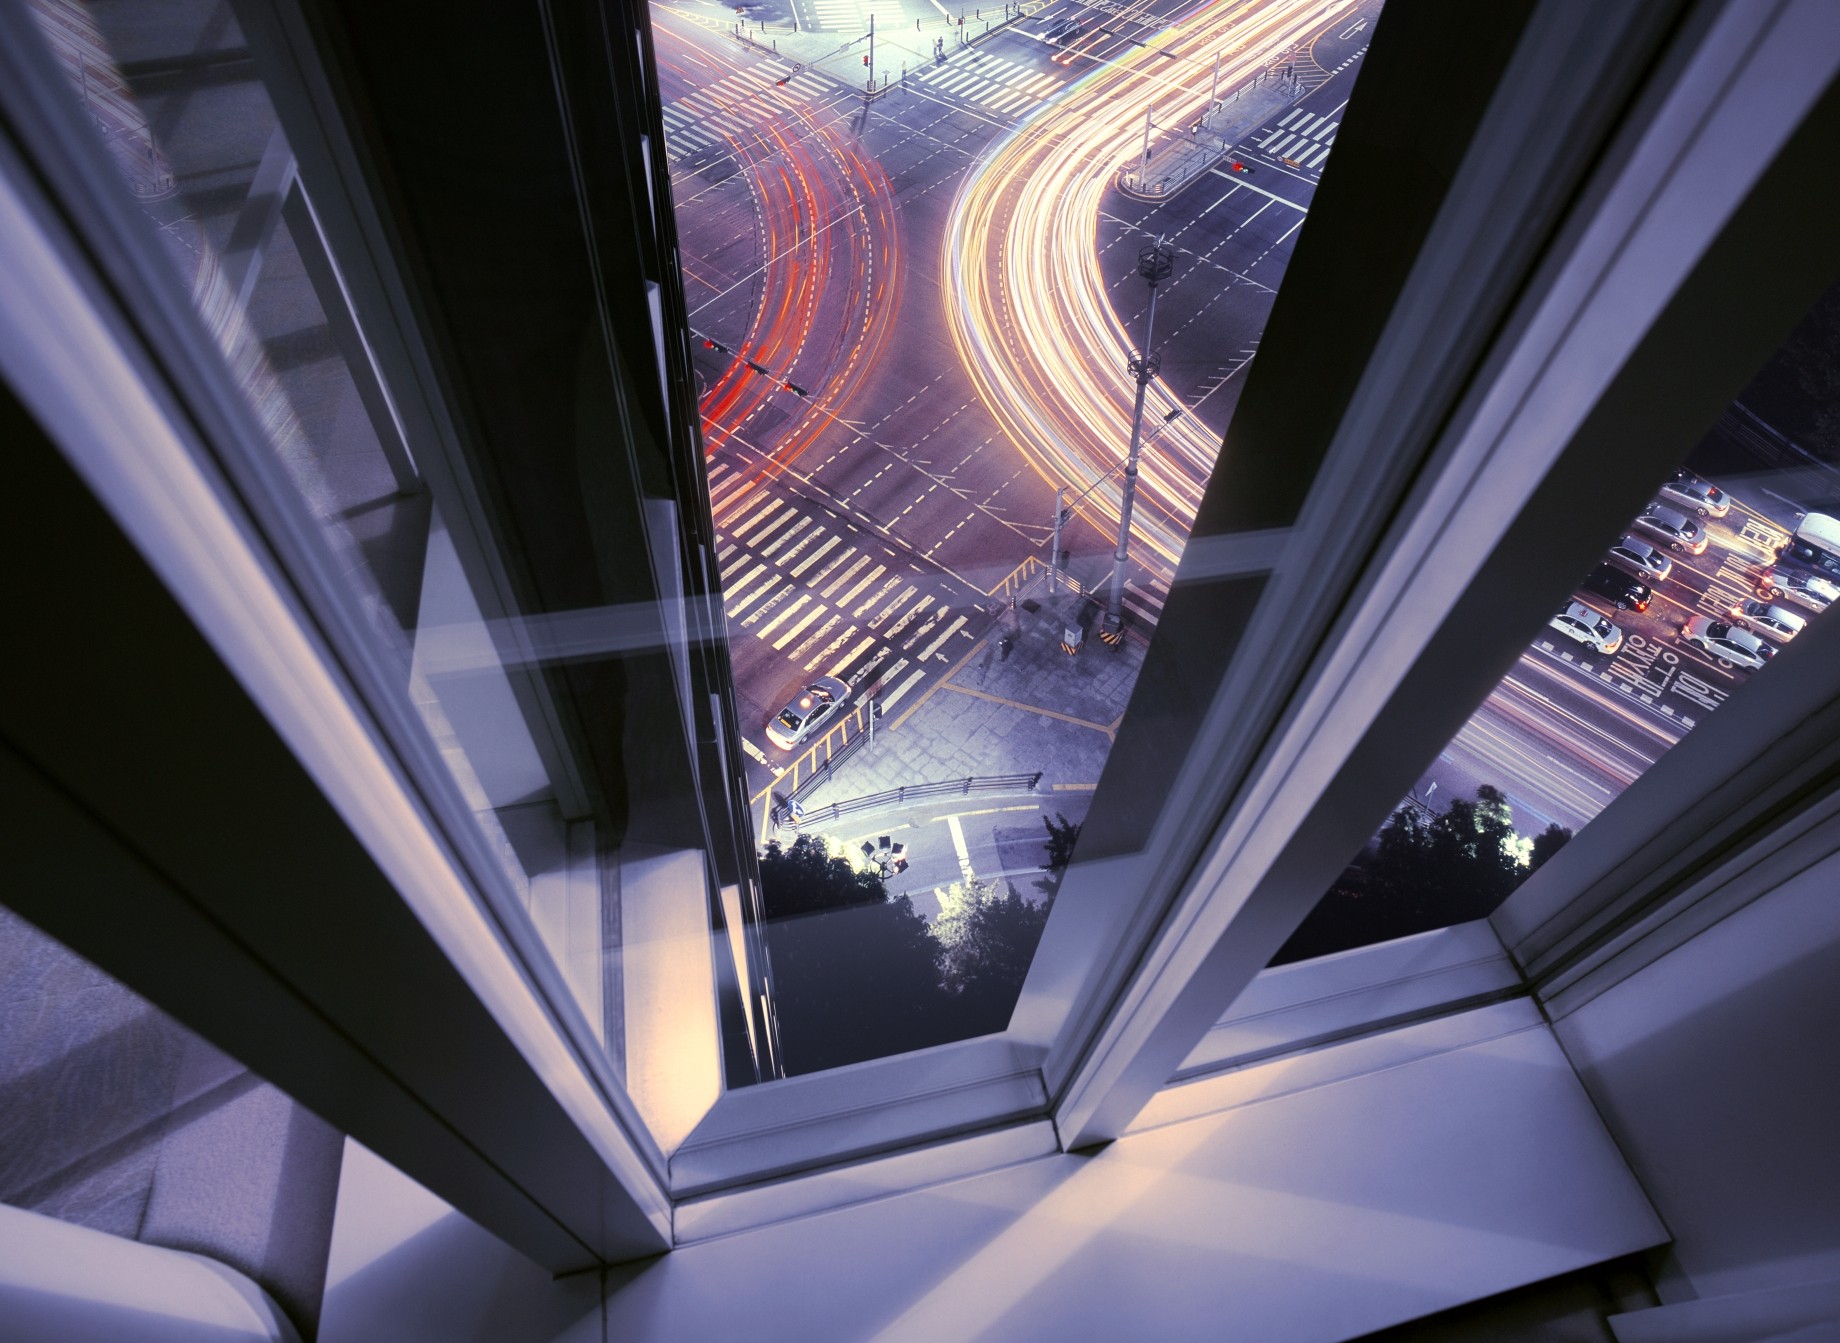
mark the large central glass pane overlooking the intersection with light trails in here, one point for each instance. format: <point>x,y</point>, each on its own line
<point>925,257</point>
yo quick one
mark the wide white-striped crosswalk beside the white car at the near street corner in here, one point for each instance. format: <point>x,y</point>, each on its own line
<point>829,599</point>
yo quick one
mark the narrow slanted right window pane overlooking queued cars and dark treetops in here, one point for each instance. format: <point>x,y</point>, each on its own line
<point>1734,557</point>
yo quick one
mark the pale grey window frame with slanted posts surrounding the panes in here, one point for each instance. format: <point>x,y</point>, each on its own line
<point>1274,794</point>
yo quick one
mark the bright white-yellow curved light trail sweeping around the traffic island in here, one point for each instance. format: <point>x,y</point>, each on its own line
<point>1026,301</point>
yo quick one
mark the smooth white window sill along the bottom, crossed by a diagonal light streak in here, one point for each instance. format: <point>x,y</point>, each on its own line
<point>1456,1162</point>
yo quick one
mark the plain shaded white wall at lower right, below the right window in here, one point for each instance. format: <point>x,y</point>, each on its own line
<point>1716,1068</point>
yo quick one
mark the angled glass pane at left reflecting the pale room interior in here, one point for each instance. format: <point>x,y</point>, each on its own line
<point>520,685</point>
